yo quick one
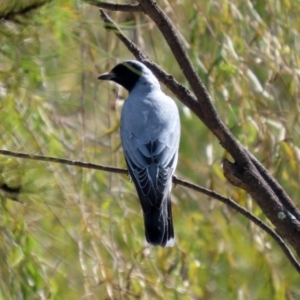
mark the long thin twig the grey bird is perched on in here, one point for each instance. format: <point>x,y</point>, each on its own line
<point>176,181</point>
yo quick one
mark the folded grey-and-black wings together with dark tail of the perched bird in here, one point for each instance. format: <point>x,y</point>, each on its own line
<point>151,166</point>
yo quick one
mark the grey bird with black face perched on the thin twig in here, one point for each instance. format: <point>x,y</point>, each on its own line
<point>150,135</point>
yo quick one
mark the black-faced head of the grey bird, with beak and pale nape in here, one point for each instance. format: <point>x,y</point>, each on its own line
<point>128,73</point>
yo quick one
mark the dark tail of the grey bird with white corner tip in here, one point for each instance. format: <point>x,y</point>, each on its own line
<point>159,225</point>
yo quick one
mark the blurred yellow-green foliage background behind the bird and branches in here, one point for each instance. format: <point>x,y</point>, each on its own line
<point>73,233</point>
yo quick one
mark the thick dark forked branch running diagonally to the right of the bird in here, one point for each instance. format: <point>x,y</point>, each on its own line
<point>246,172</point>
